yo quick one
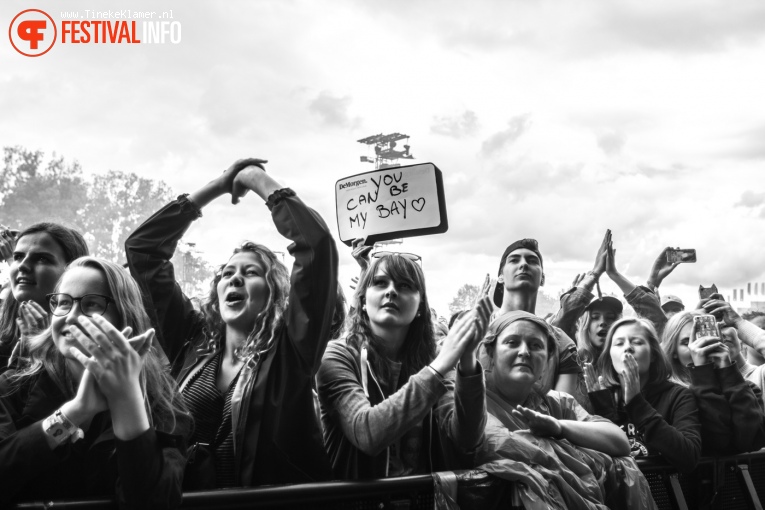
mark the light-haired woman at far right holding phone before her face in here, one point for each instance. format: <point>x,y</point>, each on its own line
<point>730,411</point>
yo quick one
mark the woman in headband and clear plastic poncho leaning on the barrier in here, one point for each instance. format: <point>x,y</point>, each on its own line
<point>580,460</point>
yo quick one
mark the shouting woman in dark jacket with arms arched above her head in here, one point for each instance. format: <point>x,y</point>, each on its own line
<point>246,362</point>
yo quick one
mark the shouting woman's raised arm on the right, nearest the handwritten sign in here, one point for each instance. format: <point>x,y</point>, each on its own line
<point>313,283</point>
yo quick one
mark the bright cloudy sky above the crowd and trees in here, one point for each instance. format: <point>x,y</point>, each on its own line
<point>553,120</point>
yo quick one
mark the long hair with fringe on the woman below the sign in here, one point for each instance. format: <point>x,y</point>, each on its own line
<point>419,348</point>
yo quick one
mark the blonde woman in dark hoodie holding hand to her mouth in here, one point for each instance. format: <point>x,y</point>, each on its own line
<point>636,392</point>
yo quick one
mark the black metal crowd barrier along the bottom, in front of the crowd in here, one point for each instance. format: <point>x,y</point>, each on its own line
<point>724,483</point>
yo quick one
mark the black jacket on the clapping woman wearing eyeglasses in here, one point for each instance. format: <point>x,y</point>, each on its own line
<point>145,472</point>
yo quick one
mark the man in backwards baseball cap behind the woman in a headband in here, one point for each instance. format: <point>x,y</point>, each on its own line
<point>520,276</point>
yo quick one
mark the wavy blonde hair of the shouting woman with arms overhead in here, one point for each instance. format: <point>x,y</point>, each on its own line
<point>269,320</point>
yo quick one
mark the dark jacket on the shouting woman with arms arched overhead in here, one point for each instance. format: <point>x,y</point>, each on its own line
<point>277,436</point>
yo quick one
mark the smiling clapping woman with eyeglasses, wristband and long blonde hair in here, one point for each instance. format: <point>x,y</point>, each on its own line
<point>90,410</point>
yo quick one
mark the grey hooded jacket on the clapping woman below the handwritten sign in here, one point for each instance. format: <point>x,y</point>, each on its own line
<point>360,423</point>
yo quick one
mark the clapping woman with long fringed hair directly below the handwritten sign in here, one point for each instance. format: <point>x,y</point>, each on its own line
<point>390,405</point>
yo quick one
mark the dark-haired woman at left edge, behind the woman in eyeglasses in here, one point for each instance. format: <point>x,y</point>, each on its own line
<point>38,256</point>
